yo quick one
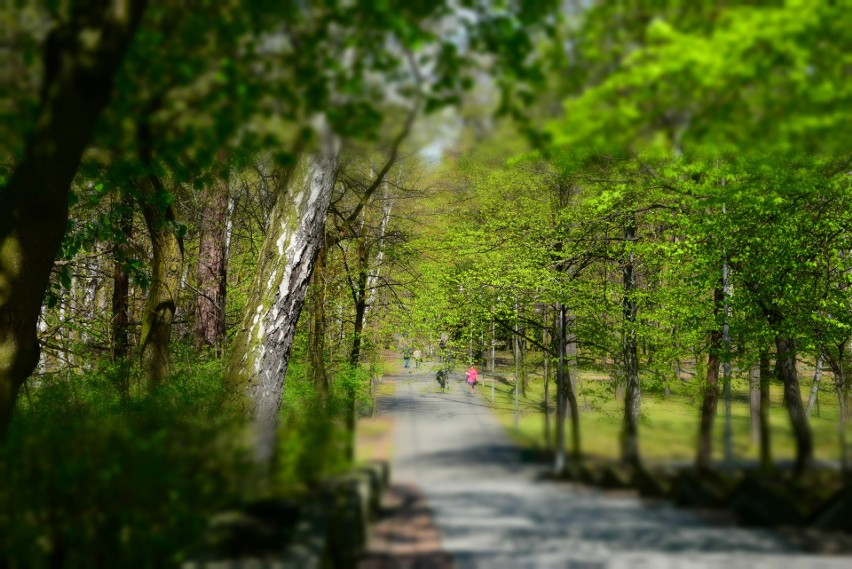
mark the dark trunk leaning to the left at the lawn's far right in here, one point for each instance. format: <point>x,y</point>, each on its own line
<point>786,365</point>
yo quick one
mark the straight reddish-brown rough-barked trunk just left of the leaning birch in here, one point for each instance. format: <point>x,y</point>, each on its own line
<point>211,270</point>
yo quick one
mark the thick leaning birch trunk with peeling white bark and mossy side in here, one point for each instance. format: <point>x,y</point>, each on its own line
<point>261,349</point>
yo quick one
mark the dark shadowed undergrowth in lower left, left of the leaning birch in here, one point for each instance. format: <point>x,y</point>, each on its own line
<point>93,478</point>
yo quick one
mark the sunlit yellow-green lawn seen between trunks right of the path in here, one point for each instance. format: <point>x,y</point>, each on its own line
<point>668,425</point>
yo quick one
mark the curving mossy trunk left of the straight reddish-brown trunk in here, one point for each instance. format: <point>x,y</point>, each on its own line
<point>166,269</point>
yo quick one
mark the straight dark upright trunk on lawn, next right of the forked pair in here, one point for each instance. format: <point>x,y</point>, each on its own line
<point>630,358</point>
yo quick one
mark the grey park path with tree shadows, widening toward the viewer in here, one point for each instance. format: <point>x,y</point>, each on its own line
<point>463,498</point>
